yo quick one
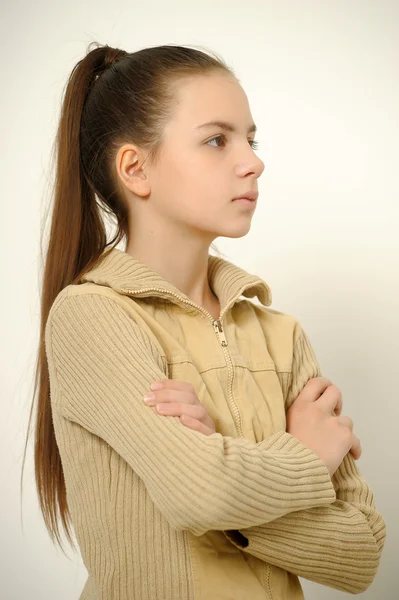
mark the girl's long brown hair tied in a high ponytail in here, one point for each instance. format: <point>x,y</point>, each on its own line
<point>111,97</point>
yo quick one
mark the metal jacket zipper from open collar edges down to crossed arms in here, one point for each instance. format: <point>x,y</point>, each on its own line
<point>218,328</point>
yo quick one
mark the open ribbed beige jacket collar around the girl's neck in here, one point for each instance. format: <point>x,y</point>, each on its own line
<point>127,275</point>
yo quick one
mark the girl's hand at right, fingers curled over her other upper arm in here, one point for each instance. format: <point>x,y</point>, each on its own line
<point>314,418</point>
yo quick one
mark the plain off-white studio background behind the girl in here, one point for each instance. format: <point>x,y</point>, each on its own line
<point>322,81</point>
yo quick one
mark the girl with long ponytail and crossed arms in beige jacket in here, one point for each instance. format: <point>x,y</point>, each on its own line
<point>238,476</point>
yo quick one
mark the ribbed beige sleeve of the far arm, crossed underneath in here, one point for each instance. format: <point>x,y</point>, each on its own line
<point>337,545</point>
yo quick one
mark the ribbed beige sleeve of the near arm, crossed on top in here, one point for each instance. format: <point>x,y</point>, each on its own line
<point>101,364</point>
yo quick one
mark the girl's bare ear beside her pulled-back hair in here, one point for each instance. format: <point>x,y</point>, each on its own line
<point>129,168</point>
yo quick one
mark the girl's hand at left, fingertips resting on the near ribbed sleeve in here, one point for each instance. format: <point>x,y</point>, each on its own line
<point>178,399</point>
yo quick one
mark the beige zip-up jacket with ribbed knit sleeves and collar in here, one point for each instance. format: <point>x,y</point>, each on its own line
<point>163,512</point>
